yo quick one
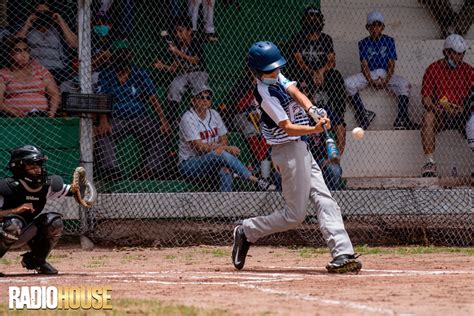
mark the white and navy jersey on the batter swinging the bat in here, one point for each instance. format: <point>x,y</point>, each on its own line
<point>277,105</point>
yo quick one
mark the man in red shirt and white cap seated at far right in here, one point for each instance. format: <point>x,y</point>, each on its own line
<point>446,88</point>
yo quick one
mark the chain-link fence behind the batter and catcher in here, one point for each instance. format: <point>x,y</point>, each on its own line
<point>181,159</point>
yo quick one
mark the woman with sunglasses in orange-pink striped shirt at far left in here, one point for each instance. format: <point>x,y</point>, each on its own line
<point>26,87</point>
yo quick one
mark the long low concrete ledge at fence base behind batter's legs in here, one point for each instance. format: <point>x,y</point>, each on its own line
<point>424,201</point>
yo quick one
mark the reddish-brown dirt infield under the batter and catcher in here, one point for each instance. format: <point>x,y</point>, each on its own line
<point>275,281</point>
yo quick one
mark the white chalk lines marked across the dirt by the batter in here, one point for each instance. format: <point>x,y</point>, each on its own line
<point>249,280</point>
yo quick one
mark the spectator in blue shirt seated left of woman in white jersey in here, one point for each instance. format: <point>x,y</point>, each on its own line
<point>132,90</point>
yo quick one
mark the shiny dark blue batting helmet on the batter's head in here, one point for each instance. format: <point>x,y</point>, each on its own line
<point>265,57</point>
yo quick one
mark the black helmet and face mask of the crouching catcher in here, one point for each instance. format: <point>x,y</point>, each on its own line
<point>27,155</point>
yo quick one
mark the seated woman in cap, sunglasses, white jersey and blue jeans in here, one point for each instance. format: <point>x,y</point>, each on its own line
<point>203,146</point>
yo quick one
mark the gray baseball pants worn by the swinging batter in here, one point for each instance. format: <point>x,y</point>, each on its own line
<point>302,180</point>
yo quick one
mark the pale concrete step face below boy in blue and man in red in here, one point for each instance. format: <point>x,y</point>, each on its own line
<point>390,153</point>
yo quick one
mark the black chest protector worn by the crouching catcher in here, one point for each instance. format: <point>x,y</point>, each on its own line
<point>14,195</point>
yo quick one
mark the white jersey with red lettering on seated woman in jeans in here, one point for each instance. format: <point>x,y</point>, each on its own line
<point>192,127</point>
